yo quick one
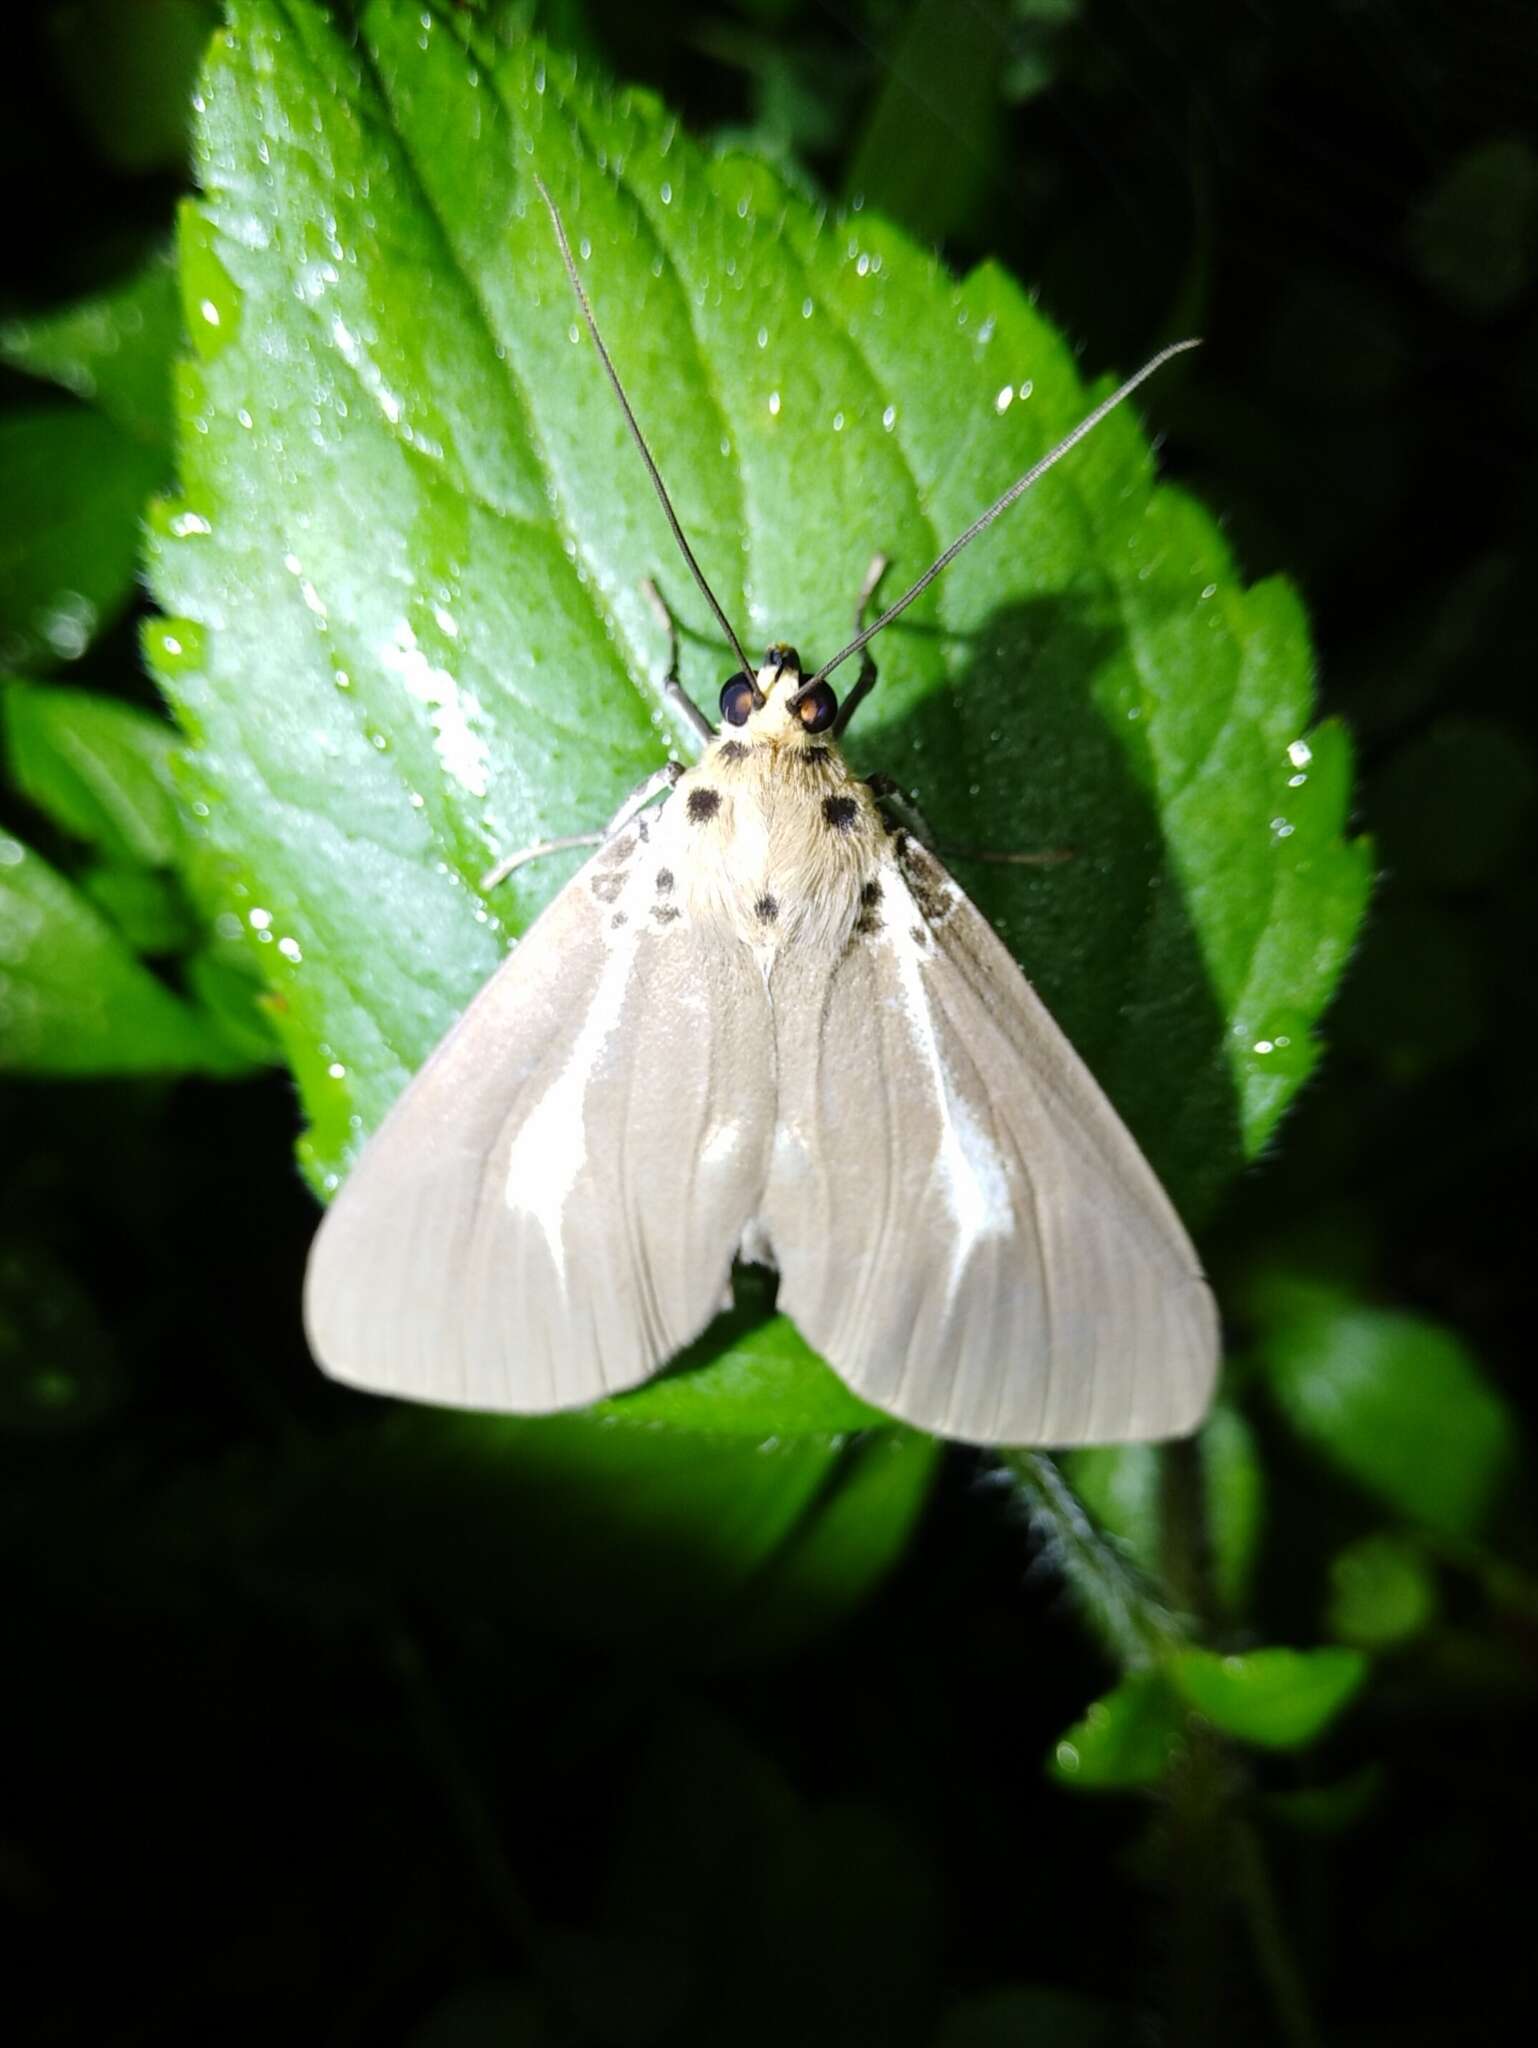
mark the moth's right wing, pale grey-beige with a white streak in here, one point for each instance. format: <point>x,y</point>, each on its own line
<point>964,1224</point>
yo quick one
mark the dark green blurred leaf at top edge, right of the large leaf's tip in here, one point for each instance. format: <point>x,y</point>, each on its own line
<point>931,138</point>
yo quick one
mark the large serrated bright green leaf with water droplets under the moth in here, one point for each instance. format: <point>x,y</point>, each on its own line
<point>402,583</point>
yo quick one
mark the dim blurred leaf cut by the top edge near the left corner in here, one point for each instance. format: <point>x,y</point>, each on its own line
<point>128,75</point>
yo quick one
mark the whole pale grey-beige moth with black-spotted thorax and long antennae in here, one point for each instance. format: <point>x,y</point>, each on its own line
<point>765,1023</point>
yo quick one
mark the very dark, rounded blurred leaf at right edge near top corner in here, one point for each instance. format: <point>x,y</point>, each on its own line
<point>1478,234</point>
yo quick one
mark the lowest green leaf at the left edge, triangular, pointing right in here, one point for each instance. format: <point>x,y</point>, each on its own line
<point>73,998</point>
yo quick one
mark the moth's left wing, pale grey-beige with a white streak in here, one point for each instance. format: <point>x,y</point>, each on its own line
<point>552,1207</point>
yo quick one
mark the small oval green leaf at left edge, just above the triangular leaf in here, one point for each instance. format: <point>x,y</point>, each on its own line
<point>95,767</point>
